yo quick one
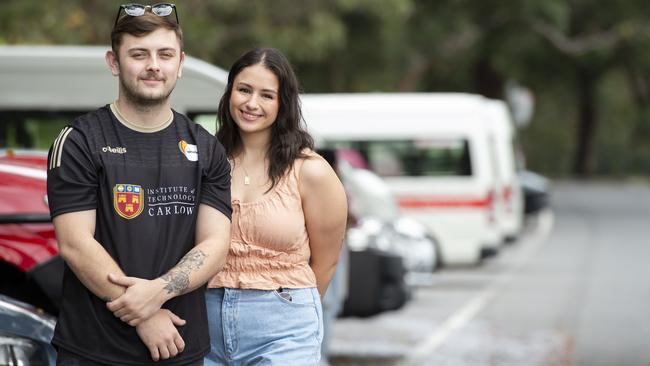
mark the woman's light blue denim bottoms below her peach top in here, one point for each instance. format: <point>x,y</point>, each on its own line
<point>261,327</point>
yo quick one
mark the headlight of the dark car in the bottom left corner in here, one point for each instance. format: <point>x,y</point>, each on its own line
<point>17,351</point>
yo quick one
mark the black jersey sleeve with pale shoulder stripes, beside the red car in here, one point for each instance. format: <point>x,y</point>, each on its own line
<point>71,175</point>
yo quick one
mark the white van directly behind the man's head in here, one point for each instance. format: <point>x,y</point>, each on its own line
<point>42,88</point>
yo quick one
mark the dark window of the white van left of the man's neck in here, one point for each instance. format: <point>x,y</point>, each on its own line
<point>32,129</point>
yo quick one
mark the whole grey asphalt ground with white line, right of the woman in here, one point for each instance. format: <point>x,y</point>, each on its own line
<point>574,290</point>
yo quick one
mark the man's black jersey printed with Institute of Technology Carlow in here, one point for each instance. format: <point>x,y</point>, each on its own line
<point>146,189</point>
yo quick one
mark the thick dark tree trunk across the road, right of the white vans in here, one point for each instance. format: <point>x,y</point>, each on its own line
<point>587,123</point>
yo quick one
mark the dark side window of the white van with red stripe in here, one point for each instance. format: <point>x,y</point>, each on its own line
<point>415,158</point>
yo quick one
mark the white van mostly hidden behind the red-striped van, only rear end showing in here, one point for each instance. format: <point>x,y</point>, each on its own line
<point>509,202</point>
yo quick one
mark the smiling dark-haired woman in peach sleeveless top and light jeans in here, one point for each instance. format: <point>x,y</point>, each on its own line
<point>289,215</point>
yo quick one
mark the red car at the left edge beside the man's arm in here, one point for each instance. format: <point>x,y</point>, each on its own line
<point>30,268</point>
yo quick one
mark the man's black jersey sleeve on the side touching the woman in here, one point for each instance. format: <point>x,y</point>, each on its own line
<point>216,182</point>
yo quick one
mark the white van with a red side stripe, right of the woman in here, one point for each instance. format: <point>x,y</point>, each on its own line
<point>434,151</point>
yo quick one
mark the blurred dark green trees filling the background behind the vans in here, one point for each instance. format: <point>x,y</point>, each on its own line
<point>423,45</point>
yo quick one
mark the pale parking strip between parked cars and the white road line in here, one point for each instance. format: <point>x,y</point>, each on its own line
<point>443,303</point>
